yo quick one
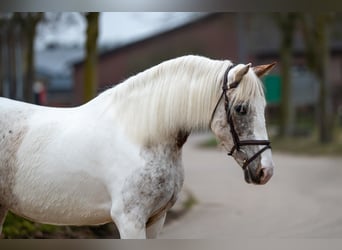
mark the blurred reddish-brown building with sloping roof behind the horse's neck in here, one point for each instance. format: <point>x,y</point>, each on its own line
<point>215,36</point>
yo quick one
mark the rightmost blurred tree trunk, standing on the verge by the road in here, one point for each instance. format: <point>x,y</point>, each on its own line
<point>316,28</point>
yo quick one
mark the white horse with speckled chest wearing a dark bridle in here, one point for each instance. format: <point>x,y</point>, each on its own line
<point>118,157</point>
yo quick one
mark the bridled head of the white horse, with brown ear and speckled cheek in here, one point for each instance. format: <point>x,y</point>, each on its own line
<point>238,121</point>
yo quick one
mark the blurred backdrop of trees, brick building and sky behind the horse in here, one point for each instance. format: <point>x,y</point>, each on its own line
<point>66,59</point>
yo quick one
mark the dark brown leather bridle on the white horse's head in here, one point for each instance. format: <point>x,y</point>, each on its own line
<point>237,142</point>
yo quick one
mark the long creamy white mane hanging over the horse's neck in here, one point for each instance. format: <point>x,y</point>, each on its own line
<point>179,94</point>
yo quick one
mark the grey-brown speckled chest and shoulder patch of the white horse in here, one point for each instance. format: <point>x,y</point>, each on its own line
<point>153,185</point>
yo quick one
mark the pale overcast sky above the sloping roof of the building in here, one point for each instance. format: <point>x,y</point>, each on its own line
<point>115,27</point>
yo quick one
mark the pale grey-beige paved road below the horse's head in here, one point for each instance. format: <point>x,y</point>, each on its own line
<point>302,200</point>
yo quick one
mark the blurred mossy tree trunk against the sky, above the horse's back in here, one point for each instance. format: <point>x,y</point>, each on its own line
<point>90,77</point>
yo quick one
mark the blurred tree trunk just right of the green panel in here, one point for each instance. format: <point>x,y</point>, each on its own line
<point>286,23</point>
